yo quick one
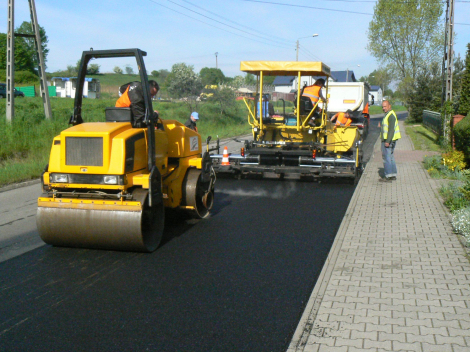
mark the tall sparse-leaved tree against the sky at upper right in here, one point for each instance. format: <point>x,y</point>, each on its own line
<point>407,35</point>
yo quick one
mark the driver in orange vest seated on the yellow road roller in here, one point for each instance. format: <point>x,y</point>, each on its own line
<point>133,97</point>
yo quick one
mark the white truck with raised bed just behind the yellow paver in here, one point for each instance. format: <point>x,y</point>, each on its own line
<point>352,96</point>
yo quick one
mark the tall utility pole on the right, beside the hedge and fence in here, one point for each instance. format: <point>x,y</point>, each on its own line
<point>448,63</point>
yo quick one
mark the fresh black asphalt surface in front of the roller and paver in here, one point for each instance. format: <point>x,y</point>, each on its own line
<point>237,281</point>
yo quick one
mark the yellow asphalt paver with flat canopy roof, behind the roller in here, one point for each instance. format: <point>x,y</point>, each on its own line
<point>286,143</point>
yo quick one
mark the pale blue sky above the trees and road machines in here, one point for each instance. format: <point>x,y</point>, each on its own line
<point>173,31</point>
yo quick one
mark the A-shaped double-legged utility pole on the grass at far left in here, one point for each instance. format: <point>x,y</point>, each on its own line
<point>10,111</point>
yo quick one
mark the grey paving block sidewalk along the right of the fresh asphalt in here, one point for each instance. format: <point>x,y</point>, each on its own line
<point>396,278</point>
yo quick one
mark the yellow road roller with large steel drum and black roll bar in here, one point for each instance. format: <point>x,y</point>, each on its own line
<point>107,184</point>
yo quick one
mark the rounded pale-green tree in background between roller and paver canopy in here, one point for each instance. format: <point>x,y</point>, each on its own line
<point>184,83</point>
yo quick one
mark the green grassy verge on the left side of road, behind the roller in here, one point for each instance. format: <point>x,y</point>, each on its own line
<point>26,142</point>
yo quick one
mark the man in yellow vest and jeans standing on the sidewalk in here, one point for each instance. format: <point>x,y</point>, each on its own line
<point>389,135</point>
